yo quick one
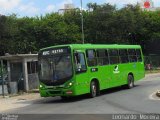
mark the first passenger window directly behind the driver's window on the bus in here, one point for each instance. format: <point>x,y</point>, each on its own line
<point>91,58</point>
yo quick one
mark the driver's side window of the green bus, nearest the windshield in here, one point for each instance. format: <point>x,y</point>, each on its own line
<point>80,62</point>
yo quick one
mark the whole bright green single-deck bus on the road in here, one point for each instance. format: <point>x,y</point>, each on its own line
<point>76,69</point>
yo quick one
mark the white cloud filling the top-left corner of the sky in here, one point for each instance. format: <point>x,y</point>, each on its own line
<point>9,4</point>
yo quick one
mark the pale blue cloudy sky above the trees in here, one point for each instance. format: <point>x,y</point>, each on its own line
<point>41,7</point>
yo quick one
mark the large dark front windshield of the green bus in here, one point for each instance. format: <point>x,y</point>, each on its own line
<point>55,68</point>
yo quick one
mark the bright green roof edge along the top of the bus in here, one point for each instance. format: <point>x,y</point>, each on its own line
<point>91,46</point>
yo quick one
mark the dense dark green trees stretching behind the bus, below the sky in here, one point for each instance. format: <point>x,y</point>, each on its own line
<point>103,24</point>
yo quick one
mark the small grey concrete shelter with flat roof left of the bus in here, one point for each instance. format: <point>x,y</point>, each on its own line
<point>21,70</point>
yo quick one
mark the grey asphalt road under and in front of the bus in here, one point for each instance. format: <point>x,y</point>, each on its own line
<point>138,100</point>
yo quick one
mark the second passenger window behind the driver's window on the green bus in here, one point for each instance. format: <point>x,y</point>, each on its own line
<point>102,56</point>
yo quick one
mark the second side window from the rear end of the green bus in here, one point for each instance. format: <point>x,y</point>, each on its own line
<point>132,55</point>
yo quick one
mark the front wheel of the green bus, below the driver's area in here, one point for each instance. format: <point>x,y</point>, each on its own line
<point>93,89</point>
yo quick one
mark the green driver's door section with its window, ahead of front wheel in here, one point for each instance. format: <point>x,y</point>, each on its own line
<point>82,85</point>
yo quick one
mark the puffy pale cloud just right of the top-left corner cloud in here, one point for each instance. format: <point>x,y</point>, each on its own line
<point>29,8</point>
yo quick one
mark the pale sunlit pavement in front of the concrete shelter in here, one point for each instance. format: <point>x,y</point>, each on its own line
<point>13,102</point>
